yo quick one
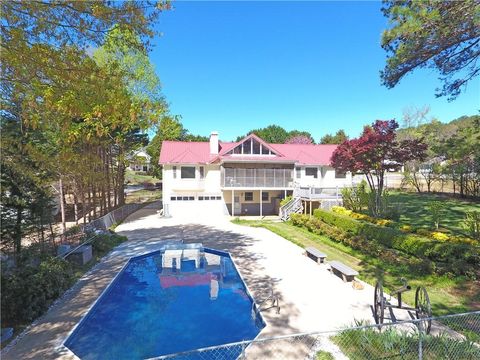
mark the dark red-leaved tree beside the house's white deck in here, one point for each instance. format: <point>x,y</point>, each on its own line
<point>374,152</point>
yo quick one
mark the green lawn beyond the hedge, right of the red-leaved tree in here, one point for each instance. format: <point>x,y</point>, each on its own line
<point>413,208</point>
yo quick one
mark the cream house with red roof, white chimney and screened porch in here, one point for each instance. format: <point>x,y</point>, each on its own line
<point>248,177</point>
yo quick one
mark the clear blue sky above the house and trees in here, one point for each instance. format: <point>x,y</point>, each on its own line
<point>235,66</point>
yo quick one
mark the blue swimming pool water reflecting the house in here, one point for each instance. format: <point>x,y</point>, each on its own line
<point>157,306</point>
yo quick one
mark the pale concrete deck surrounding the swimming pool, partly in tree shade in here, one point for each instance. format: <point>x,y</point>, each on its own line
<point>311,298</point>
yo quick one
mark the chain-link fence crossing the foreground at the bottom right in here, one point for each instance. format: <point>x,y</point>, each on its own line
<point>451,337</point>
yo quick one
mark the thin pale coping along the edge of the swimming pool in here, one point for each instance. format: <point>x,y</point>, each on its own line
<point>64,347</point>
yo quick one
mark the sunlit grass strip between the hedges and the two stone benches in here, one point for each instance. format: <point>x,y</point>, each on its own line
<point>447,295</point>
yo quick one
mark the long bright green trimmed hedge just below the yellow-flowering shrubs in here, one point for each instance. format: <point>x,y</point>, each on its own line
<point>459,258</point>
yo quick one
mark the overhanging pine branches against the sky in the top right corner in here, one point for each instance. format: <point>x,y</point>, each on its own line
<point>443,35</point>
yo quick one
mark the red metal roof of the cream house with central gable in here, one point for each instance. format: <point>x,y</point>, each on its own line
<point>182,152</point>
